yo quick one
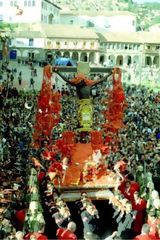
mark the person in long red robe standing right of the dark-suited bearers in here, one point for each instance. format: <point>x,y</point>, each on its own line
<point>139,205</point>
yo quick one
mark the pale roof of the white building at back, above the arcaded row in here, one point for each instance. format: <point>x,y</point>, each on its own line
<point>97,13</point>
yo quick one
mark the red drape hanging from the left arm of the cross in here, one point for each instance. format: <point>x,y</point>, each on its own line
<point>49,108</point>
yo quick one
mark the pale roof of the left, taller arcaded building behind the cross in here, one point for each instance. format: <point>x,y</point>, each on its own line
<point>55,31</point>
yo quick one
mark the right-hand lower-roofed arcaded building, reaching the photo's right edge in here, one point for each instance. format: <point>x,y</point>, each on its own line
<point>141,48</point>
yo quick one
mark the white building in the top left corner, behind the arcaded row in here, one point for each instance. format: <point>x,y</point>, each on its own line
<point>26,11</point>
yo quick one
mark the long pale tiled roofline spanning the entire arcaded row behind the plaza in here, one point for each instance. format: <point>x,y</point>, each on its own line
<point>63,31</point>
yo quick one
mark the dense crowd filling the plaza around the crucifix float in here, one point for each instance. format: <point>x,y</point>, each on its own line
<point>137,150</point>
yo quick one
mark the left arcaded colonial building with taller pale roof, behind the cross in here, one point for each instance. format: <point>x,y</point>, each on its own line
<point>40,41</point>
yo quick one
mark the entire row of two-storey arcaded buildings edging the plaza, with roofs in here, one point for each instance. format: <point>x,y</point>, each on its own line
<point>40,41</point>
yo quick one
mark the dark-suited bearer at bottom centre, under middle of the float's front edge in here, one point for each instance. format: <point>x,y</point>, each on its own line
<point>90,221</point>
